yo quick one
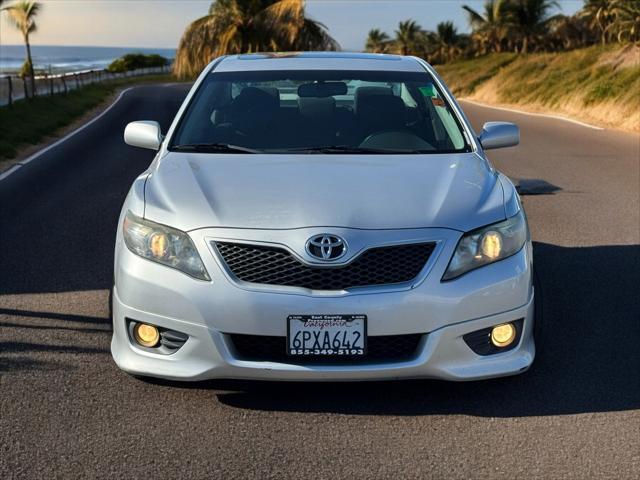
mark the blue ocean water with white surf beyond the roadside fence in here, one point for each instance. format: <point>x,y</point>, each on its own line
<point>69,59</point>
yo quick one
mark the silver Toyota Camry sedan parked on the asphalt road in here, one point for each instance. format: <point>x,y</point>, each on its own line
<point>322,216</point>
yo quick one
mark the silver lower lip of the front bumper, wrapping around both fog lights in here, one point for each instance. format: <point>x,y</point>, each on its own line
<point>442,354</point>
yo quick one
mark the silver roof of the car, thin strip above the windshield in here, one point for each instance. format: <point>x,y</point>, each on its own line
<point>318,61</point>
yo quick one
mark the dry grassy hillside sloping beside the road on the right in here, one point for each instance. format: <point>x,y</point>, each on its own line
<point>600,85</point>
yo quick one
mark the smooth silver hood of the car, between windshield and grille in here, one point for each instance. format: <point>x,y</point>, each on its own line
<point>191,190</point>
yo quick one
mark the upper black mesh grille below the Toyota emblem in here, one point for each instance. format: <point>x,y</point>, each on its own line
<point>276,266</point>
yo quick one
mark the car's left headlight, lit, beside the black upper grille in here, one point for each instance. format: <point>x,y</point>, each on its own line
<point>164,245</point>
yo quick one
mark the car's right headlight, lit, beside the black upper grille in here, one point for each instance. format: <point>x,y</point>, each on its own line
<point>487,245</point>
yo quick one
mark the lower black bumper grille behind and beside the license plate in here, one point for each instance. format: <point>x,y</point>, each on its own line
<point>261,348</point>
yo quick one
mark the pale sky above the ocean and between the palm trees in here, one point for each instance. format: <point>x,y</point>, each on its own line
<point>160,23</point>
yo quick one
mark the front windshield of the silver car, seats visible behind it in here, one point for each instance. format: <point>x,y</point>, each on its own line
<point>321,111</point>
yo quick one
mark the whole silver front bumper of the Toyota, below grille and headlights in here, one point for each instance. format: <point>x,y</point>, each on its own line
<point>208,312</point>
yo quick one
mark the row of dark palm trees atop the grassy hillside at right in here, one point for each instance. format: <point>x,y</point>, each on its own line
<point>520,26</point>
